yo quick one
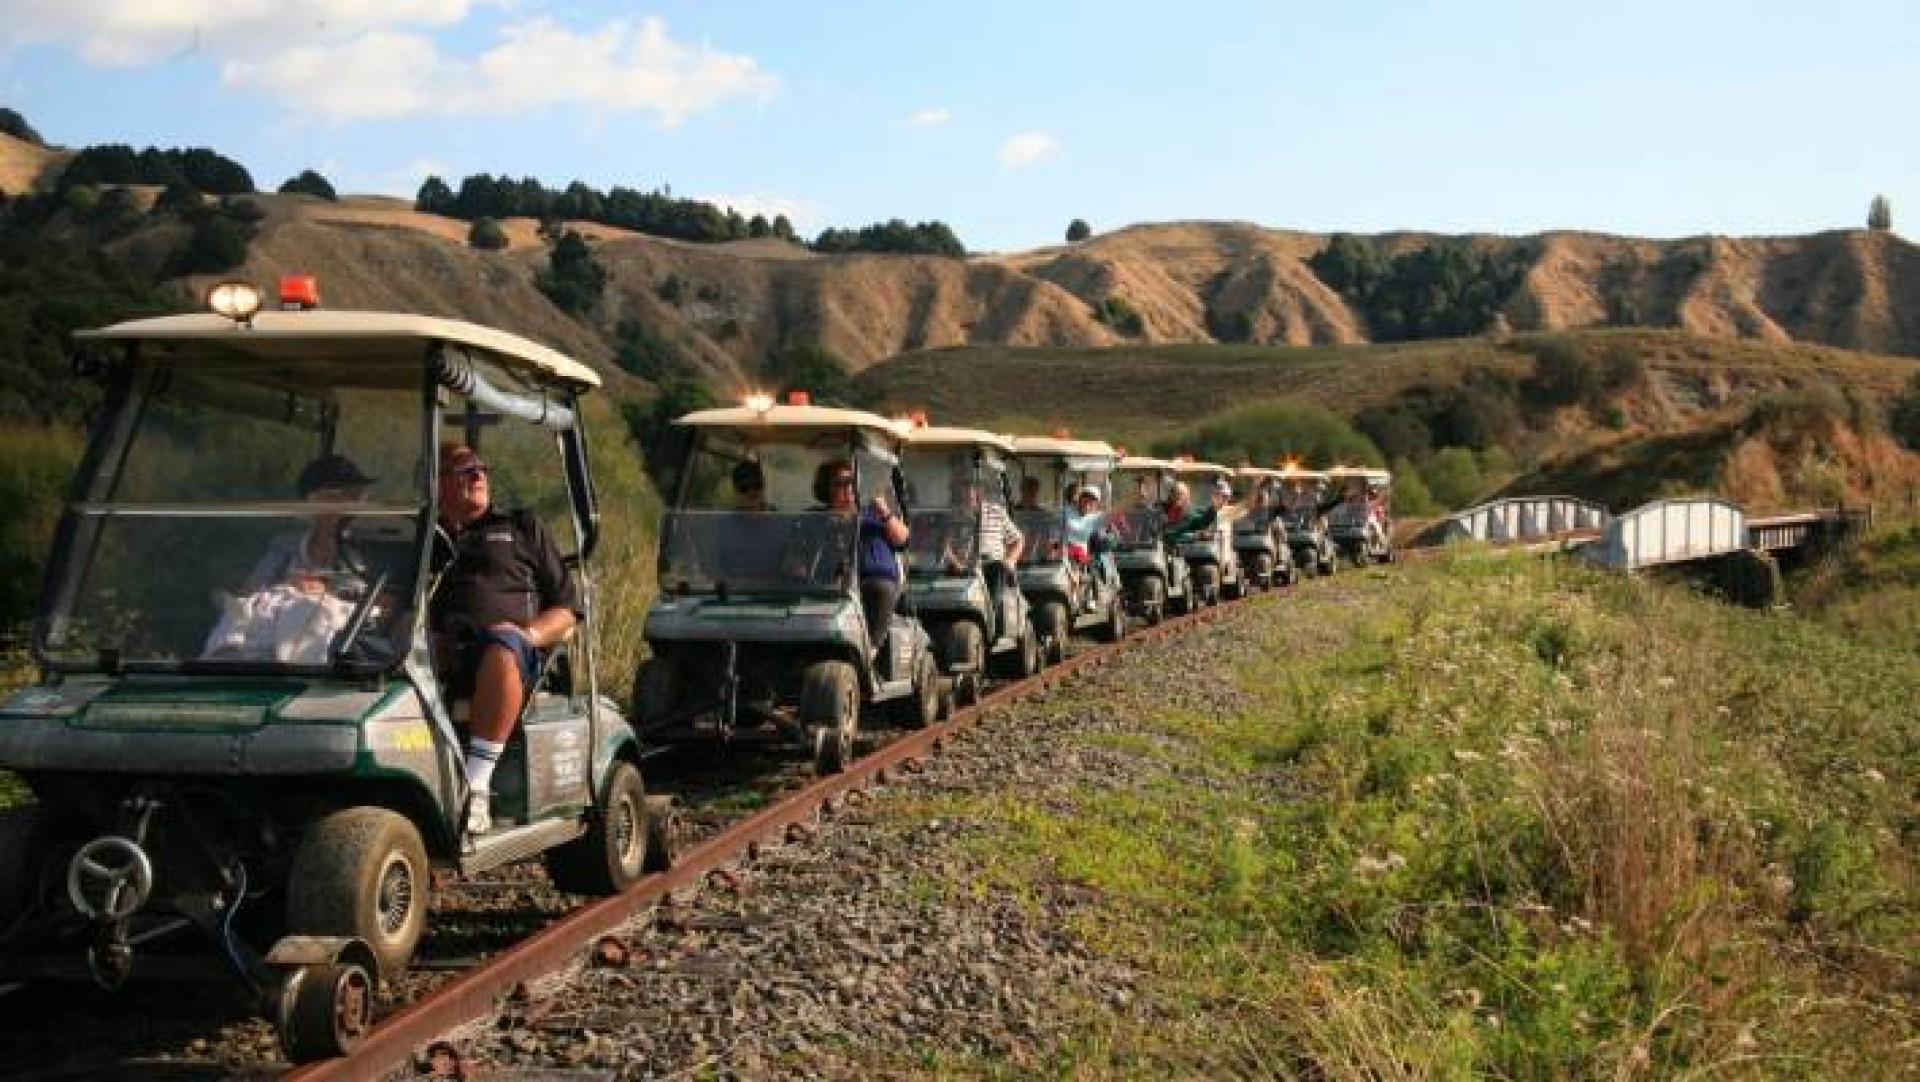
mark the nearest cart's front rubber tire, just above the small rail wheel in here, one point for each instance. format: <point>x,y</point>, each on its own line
<point>337,882</point>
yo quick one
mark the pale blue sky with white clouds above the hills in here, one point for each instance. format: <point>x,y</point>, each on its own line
<point>1007,120</point>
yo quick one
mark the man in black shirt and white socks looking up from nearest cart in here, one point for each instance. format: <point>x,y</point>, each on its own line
<point>504,598</point>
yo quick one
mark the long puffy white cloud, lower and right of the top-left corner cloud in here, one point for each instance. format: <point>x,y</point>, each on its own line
<point>619,68</point>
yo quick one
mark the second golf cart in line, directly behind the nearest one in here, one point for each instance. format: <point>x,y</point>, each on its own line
<point>759,634</point>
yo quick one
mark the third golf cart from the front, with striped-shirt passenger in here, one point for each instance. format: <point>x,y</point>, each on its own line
<point>971,607</point>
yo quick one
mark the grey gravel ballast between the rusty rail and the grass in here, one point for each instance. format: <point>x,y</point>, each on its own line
<point>853,954</point>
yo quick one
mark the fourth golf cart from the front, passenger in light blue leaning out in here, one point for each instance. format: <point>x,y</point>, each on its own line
<point>1067,588</point>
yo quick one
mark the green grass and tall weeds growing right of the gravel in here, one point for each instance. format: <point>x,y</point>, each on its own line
<point>1500,820</point>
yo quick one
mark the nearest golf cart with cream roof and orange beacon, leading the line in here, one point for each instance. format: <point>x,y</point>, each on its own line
<point>272,759</point>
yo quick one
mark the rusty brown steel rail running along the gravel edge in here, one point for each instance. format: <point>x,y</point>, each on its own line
<point>396,1041</point>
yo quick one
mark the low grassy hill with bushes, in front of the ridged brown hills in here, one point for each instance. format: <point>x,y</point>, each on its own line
<point>1765,425</point>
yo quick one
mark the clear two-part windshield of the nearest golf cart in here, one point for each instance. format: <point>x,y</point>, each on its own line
<point>245,515</point>
